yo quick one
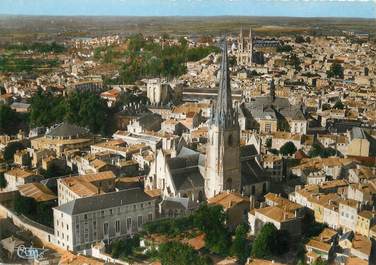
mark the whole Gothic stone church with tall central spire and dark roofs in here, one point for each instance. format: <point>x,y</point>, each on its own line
<point>226,165</point>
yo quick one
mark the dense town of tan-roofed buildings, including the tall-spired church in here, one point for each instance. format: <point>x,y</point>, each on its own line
<point>270,140</point>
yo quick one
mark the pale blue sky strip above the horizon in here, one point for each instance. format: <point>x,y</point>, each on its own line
<point>292,8</point>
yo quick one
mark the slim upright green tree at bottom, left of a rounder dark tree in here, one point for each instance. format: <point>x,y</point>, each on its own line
<point>240,245</point>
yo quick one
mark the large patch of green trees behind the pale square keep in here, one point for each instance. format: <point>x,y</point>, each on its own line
<point>144,58</point>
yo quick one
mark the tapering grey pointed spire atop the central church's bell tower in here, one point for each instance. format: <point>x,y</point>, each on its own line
<point>224,115</point>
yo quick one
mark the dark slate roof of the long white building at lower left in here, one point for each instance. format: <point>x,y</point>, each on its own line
<point>104,201</point>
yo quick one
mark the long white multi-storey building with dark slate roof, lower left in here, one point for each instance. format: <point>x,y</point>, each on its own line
<point>84,221</point>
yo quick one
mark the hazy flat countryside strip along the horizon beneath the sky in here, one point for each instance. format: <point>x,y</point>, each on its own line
<point>25,28</point>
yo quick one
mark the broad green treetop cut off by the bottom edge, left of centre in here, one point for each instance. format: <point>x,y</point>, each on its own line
<point>176,253</point>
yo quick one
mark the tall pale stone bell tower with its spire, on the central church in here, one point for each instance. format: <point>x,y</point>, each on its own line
<point>223,148</point>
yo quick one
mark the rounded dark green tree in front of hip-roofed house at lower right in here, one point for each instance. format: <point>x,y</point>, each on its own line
<point>265,241</point>
